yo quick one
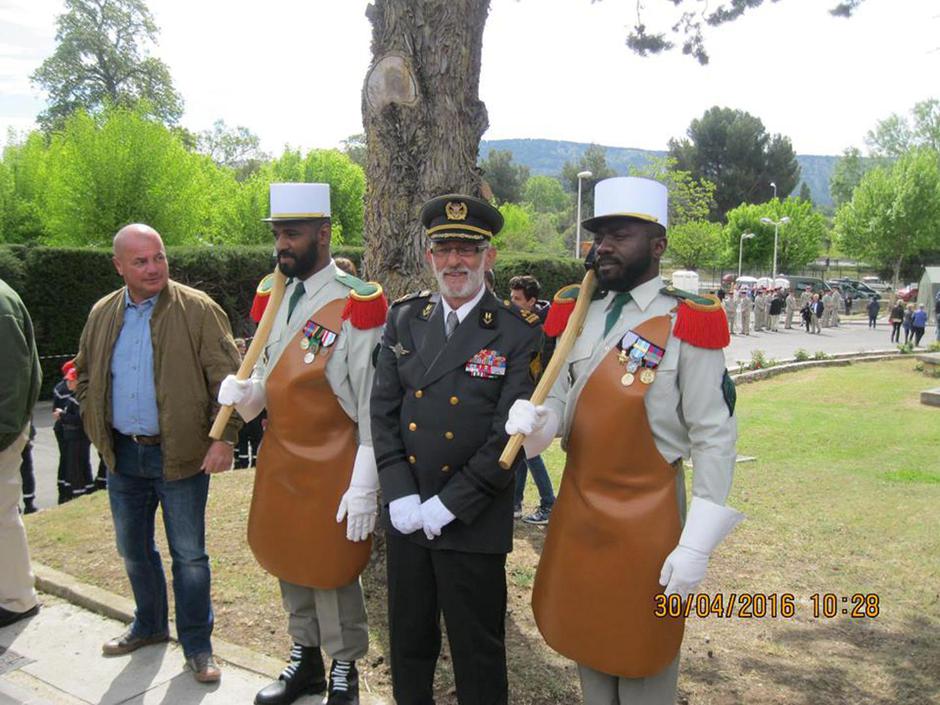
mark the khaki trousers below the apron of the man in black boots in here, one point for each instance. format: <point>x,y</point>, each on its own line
<point>334,620</point>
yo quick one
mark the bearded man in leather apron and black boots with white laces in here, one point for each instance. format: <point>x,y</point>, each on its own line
<point>316,467</point>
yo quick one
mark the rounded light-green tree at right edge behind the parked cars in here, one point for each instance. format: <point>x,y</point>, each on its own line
<point>893,215</point>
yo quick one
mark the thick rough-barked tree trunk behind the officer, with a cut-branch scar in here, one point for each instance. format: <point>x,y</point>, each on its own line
<point>423,120</point>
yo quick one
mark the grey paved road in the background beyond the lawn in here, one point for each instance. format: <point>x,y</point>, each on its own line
<point>851,336</point>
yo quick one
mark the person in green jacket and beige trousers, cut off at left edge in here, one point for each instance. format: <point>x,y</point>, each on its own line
<point>20,377</point>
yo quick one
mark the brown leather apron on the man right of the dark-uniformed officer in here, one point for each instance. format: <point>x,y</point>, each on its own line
<point>615,521</point>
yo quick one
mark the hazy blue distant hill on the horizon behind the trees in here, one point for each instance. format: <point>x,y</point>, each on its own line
<point>547,157</point>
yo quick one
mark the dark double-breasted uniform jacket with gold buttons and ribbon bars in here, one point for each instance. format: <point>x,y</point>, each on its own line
<point>437,428</point>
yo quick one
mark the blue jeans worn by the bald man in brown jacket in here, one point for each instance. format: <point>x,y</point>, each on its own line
<point>135,490</point>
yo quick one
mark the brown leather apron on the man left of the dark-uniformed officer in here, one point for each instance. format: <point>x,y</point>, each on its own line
<point>304,468</point>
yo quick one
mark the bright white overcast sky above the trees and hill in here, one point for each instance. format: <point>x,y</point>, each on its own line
<point>292,70</point>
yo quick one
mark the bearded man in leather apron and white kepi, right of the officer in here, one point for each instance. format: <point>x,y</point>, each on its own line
<point>645,387</point>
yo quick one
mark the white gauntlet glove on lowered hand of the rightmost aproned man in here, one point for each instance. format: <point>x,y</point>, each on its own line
<point>706,526</point>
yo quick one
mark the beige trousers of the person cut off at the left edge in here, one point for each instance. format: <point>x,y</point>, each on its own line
<point>16,575</point>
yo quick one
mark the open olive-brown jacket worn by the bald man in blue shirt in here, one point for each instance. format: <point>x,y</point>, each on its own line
<point>193,351</point>
